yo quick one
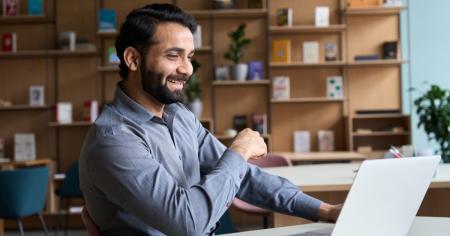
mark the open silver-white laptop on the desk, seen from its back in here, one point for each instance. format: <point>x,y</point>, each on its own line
<point>384,198</point>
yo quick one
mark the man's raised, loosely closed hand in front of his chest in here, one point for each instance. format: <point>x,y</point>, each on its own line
<point>249,144</point>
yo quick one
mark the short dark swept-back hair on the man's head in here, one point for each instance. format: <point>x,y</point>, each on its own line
<point>140,25</point>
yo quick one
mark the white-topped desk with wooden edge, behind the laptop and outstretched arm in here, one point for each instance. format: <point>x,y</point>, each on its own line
<point>331,183</point>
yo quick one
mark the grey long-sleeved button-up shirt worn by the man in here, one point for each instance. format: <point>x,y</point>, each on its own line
<point>143,175</point>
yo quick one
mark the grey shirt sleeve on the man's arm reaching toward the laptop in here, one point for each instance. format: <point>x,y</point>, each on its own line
<point>258,187</point>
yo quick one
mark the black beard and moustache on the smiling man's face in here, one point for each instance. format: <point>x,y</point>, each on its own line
<point>152,83</point>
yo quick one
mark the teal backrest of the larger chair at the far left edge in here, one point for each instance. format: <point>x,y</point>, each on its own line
<point>23,191</point>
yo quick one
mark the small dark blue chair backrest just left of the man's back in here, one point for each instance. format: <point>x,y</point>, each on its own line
<point>71,184</point>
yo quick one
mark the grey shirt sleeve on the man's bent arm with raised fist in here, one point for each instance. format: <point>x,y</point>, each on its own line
<point>123,168</point>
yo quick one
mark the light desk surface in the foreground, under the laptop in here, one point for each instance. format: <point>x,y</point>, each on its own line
<point>436,226</point>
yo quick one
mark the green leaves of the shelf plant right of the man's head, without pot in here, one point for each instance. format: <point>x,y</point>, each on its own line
<point>238,42</point>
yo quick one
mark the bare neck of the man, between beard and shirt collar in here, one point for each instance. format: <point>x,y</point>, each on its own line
<point>144,99</point>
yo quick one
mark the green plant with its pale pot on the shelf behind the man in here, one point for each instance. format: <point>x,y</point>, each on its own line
<point>236,52</point>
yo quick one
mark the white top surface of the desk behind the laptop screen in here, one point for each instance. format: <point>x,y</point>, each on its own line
<point>338,177</point>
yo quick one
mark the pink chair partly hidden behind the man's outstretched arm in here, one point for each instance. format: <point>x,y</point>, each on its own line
<point>270,160</point>
